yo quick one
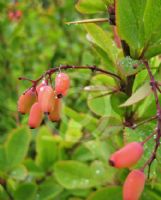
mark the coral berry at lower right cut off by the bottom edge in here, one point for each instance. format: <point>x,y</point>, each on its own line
<point>134,185</point>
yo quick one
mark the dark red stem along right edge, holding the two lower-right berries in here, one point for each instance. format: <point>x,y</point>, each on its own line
<point>158,128</point>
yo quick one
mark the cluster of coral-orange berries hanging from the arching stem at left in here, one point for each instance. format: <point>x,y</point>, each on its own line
<point>44,99</point>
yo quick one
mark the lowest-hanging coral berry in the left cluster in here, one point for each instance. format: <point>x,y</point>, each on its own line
<point>35,116</point>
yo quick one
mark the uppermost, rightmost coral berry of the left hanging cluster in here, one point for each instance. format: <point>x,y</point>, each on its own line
<point>62,84</point>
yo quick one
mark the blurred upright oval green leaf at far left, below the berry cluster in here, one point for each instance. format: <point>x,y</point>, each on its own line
<point>17,146</point>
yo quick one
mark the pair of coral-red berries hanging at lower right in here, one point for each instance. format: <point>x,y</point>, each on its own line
<point>126,157</point>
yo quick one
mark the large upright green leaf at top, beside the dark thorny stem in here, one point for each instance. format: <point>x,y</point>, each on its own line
<point>129,20</point>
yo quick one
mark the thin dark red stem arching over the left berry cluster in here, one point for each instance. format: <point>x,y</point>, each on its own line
<point>65,67</point>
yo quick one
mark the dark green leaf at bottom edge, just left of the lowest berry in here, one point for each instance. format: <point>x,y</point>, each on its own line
<point>103,194</point>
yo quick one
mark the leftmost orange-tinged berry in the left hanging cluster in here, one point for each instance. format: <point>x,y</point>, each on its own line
<point>26,100</point>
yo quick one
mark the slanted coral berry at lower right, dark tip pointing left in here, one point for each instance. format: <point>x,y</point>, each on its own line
<point>127,156</point>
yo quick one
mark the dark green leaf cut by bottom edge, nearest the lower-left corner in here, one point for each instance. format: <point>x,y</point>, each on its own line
<point>25,191</point>
